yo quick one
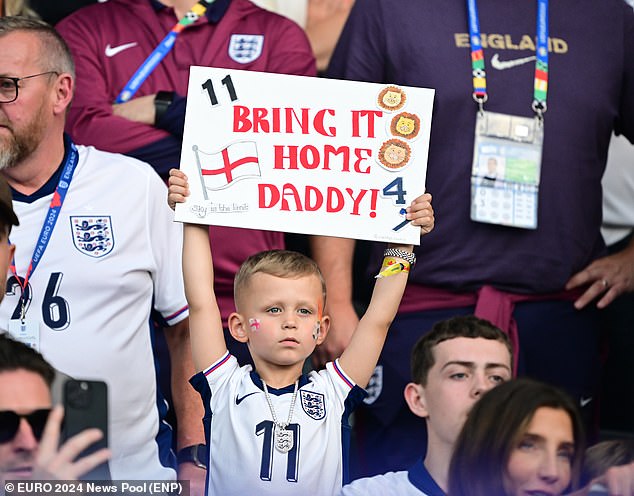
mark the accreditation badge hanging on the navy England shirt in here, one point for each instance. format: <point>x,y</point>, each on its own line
<point>506,167</point>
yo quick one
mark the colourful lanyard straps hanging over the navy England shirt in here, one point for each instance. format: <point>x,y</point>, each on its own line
<point>541,62</point>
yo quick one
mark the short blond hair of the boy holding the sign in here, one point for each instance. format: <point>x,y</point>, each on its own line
<point>279,263</point>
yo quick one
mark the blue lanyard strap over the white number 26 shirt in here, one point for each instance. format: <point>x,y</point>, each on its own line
<point>49,222</point>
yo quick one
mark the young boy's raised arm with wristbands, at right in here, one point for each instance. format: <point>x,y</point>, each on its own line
<point>360,357</point>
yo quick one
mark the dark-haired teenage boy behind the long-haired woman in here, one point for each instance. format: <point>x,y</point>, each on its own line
<point>452,366</point>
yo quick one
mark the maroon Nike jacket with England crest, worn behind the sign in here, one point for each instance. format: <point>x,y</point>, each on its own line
<point>99,30</point>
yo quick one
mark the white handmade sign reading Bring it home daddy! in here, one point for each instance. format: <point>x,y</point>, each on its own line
<point>304,155</point>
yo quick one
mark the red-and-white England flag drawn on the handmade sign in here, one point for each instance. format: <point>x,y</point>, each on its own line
<point>219,170</point>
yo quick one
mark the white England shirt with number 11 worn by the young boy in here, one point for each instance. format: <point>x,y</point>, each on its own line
<point>238,422</point>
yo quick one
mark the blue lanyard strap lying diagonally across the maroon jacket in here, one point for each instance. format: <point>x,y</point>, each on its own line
<point>159,53</point>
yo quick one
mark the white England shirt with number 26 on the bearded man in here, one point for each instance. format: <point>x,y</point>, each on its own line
<point>113,249</point>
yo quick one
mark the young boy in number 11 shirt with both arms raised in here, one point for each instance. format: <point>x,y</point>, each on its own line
<point>273,430</point>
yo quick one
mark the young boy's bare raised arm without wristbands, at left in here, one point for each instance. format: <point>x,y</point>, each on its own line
<point>205,323</point>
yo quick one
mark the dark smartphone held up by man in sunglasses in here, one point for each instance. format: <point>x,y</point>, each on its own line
<point>86,406</point>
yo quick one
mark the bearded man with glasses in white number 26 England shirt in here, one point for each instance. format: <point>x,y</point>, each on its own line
<point>96,253</point>
